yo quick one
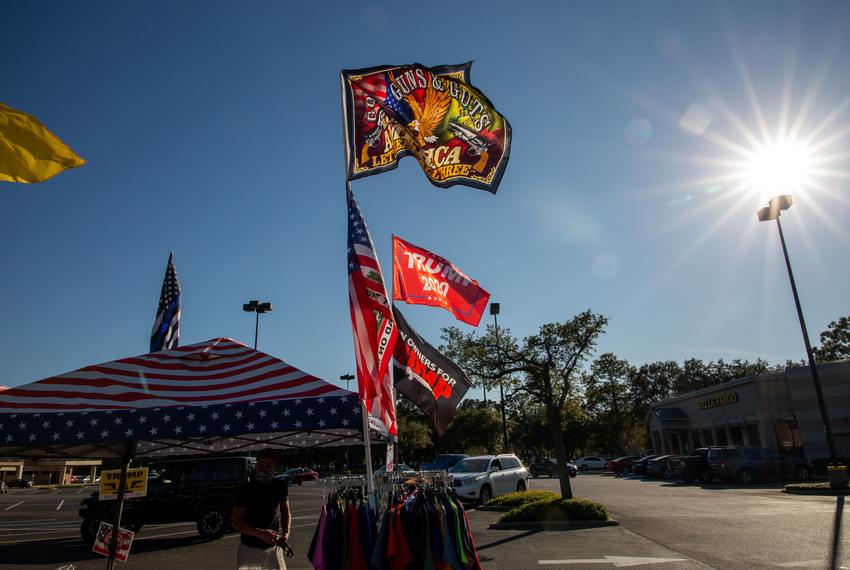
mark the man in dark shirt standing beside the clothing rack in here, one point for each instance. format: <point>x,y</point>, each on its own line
<point>261,514</point>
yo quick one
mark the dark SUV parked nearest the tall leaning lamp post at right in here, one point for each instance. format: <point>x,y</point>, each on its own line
<point>748,464</point>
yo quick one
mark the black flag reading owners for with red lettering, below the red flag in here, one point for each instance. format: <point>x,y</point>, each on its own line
<point>429,378</point>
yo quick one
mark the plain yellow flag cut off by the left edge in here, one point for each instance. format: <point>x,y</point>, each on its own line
<point>28,151</point>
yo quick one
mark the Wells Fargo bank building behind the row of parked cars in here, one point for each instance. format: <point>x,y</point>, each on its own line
<point>778,410</point>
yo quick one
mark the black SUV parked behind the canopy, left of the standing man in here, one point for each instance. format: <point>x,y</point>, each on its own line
<point>200,490</point>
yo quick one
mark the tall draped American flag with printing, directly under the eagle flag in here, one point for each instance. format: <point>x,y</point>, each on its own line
<point>371,316</point>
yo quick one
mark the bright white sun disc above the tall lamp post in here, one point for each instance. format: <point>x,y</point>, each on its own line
<point>779,167</point>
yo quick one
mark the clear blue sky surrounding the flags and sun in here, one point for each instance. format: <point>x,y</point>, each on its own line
<point>213,129</point>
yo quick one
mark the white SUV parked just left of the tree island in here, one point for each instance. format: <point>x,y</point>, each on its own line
<point>486,476</point>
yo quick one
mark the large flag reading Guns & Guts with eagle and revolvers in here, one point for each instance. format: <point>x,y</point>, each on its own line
<point>433,114</point>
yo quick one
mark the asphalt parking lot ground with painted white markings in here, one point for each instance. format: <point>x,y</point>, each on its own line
<point>663,524</point>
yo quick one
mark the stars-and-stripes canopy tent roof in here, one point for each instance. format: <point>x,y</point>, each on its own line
<point>214,396</point>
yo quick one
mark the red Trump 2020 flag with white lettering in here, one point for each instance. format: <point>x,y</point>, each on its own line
<point>424,278</point>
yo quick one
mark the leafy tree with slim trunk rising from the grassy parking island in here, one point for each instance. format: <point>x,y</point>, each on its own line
<point>548,364</point>
